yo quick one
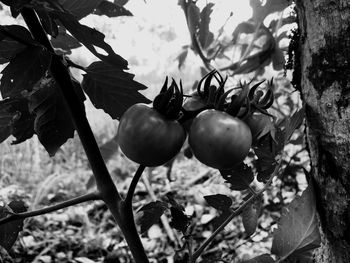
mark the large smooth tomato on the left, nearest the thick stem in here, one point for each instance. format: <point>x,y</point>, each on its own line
<point>147,137</point>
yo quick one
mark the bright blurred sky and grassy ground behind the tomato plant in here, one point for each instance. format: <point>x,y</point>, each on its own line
<point>152,41</point>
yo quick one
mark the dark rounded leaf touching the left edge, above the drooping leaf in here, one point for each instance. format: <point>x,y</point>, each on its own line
<point>31,65</point>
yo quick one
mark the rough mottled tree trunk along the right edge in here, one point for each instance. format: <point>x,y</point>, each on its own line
<point>324,68</point>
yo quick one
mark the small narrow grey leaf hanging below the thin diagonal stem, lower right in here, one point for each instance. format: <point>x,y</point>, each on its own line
<point>250,215</point>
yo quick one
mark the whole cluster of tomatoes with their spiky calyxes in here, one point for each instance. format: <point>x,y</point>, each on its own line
<point>220,133</point>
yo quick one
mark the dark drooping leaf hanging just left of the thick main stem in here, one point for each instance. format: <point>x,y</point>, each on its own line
<point>52,124</point>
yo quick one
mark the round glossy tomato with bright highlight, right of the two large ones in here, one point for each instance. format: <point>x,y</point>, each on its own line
<point>219,140</point>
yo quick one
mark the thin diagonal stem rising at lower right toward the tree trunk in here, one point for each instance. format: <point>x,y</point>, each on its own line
<point>233,214</point>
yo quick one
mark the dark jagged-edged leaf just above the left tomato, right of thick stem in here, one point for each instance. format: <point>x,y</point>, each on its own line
<point>112,89</point>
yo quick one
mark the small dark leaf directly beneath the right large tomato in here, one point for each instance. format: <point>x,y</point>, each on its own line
<point>239,177</point>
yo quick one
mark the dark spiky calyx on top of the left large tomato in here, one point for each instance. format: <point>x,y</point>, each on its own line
<point>169,100</point>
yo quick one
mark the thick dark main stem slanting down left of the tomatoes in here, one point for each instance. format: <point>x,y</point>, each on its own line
<point>121,211</point>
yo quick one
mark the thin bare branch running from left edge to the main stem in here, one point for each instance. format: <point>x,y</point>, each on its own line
<point>71,202</point>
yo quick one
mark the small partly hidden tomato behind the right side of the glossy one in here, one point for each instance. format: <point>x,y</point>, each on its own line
<point>259,124</point>
